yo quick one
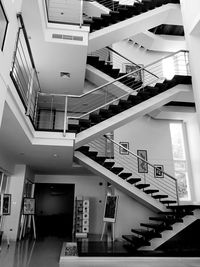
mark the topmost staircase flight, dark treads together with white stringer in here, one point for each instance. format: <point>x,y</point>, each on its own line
<point>127,20</point>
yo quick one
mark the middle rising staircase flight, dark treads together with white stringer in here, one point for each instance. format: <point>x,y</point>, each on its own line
<point>133,106</point>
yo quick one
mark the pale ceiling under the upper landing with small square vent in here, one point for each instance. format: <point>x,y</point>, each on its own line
<point>52,58</point>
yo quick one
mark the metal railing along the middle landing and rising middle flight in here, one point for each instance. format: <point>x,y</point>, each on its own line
<point>55,109</point>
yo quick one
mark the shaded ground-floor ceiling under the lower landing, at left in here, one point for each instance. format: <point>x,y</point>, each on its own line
<point>17,148</point>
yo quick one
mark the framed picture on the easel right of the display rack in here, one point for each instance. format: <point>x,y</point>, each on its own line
<point>110,209</point>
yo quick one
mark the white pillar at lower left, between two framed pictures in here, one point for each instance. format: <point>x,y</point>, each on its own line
<point>16,186</point>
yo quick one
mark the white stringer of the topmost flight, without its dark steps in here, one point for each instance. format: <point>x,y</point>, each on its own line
<point>129,27</point>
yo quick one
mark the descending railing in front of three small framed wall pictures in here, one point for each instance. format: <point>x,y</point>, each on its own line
<point>139,167</point>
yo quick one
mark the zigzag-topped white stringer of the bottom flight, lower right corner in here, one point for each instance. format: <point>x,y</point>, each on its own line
<point>177,228</point>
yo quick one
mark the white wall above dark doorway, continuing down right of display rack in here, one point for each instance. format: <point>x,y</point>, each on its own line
<point>87,186</point>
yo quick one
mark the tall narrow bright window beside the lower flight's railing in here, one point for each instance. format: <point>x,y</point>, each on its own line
<point>180,161</point>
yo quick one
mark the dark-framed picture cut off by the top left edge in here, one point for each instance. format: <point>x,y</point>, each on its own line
<point>3,25</point>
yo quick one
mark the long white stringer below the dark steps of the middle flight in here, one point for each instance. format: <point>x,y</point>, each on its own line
<point>129,115</point>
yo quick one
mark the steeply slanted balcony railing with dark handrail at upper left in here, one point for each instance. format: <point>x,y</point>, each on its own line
<point>23,71</point>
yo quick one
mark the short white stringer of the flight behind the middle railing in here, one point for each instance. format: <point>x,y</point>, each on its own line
<point>99,77</point>
